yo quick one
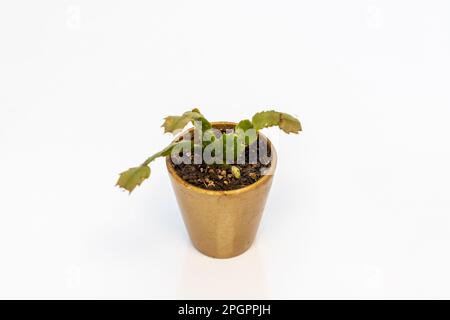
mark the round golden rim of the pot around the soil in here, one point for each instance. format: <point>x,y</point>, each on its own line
<point>263,180</point>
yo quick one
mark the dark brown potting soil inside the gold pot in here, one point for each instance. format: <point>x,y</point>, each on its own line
<point>218,177</point>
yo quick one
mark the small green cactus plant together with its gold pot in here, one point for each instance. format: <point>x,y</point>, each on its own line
<point>221,173</point>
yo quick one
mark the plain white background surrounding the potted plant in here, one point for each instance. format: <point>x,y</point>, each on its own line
<point>360,203</point>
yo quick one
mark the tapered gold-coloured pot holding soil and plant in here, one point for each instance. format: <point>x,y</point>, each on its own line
<point>222,224</point>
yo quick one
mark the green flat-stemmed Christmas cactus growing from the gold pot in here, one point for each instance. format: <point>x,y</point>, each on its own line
<point>210,145</point>
